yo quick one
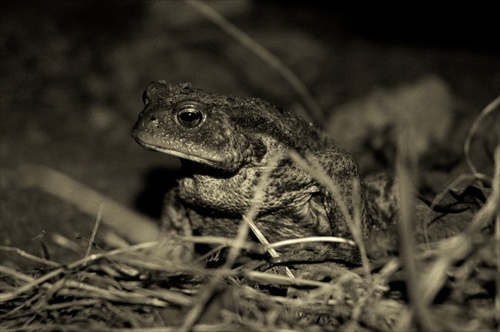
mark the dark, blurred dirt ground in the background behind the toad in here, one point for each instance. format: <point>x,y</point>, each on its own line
<point>72,76</point>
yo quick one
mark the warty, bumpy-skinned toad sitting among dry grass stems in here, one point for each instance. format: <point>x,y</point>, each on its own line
<point>224,144</point>
